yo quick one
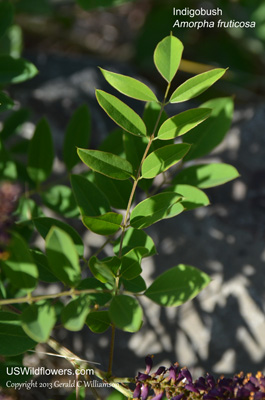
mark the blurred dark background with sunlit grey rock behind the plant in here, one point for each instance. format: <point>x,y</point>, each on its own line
<point>221,331</point>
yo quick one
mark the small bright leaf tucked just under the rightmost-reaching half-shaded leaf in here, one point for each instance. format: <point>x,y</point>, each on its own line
<point>192,196</point>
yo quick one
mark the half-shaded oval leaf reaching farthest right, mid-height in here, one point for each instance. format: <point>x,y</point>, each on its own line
<point>206,175</point>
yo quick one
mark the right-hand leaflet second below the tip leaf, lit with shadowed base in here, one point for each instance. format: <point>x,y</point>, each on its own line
<point>182,123</point>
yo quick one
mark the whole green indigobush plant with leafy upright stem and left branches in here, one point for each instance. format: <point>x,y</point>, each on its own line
<point>117,196</point>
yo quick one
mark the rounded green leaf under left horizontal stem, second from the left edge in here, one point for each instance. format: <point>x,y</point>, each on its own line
<point>75,313</point>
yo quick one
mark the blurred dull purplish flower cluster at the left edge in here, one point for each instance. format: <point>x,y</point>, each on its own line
<point>9,193</point>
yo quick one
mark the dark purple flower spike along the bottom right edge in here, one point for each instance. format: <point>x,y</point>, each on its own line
<point>177,384</point>
